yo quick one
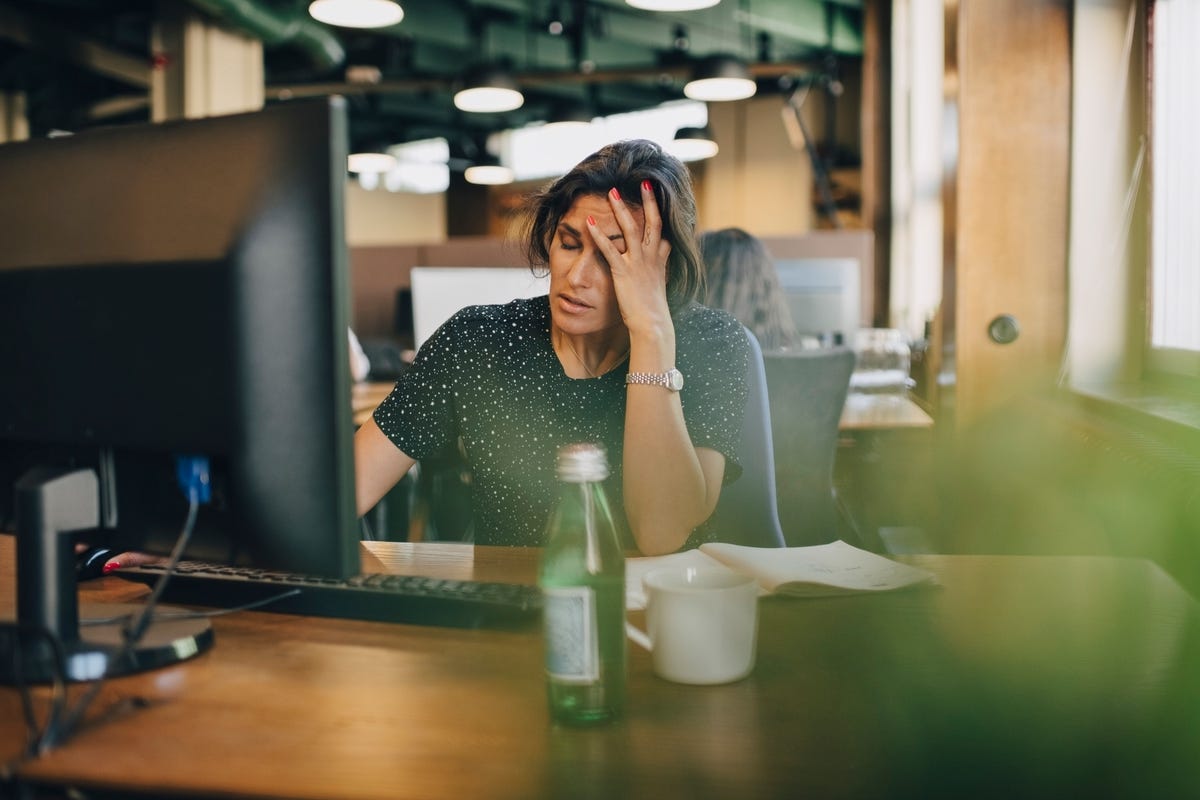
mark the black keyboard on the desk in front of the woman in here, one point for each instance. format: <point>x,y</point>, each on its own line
<point>413,600</point>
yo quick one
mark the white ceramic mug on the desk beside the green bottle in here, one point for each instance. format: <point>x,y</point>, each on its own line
<point>703,624</point>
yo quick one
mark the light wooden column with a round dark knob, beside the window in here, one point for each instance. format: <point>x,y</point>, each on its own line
<point>1012,196</point>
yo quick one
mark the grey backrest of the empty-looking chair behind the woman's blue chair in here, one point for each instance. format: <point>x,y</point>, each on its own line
<point>808,392</point>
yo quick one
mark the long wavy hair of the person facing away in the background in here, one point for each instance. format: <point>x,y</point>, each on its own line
<point>743,281</point>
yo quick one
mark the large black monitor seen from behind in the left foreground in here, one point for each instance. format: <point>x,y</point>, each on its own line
<point>175,291</point>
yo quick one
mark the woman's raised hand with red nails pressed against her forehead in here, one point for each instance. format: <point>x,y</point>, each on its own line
<point>640,270</point>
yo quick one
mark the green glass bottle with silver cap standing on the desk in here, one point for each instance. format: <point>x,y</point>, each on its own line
<point>583,576</point>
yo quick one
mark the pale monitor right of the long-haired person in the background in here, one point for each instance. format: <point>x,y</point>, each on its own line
<point>824,296</point>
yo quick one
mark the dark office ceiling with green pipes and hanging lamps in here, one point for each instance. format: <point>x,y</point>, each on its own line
<point>79,62</point>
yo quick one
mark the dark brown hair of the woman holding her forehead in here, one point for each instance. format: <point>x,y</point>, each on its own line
<point>625,166</point>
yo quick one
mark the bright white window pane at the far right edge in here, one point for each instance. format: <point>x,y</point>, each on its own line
<point>1175,187</point>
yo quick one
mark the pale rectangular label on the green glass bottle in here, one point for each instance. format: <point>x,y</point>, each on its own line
<point>572,645</point>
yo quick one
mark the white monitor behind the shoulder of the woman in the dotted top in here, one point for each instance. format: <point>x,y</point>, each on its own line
<point>439,292</point>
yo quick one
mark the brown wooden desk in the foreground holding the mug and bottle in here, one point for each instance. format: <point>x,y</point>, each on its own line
<point>1021,677</point>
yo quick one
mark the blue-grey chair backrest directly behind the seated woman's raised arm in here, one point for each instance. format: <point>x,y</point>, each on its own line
<point>747,513</point>
